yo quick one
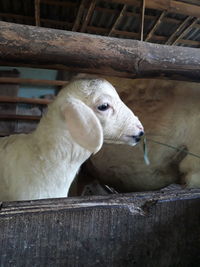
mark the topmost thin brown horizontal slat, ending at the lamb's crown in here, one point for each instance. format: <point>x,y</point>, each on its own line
<point>9,80</point>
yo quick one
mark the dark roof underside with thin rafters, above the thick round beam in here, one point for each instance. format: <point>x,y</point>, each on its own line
<point>175,23</point>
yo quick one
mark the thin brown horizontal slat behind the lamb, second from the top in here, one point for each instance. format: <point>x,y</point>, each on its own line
<point>9,99</point>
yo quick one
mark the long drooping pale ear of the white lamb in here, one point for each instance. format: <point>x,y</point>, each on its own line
<point>83,125</point>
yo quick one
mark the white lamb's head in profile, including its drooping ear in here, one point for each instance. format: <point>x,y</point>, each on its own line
<point>95,113</point>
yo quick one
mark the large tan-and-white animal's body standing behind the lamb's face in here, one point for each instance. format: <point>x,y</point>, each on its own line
<point>170,113</point>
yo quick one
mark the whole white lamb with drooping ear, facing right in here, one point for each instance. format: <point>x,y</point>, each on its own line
<point>44,163</point>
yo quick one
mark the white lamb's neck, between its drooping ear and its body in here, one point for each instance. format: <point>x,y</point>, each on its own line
<point>55,142</point>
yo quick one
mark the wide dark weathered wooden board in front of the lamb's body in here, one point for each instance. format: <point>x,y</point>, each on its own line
<point>143,229</point>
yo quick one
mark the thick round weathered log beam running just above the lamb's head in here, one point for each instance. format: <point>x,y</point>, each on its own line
<point>96,54</point>
